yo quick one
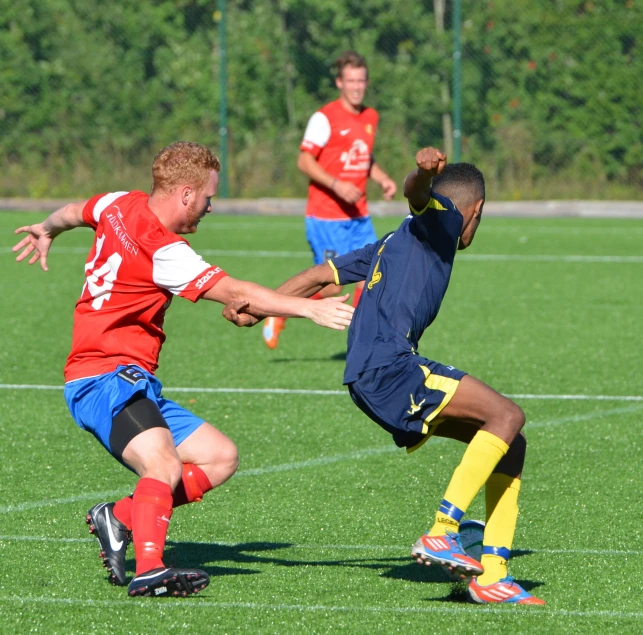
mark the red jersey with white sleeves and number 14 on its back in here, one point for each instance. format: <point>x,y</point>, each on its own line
<point>133,270</point>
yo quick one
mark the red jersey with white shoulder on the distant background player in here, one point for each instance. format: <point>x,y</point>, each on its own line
<point>342,143</point>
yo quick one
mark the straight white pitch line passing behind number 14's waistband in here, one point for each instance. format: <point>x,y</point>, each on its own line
<point>303,391</point>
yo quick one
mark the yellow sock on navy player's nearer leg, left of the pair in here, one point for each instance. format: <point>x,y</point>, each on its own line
<point>479,460</point>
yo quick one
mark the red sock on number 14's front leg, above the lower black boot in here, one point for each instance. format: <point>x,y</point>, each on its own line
<point>151,513</point>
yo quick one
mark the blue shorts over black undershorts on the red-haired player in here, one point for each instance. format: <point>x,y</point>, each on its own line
<point>95,401</point>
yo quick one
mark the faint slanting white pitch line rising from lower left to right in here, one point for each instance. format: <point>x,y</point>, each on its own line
<point>321,461</point>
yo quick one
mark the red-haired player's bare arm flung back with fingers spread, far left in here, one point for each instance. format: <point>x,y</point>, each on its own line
<point>40,236</point>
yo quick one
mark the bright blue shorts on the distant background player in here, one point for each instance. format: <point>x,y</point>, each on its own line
<point>331,238</point>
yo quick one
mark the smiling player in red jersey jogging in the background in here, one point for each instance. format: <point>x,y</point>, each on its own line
<point>336,154</point>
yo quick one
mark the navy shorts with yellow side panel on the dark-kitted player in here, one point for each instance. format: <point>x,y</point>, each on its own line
<point>406,397</point>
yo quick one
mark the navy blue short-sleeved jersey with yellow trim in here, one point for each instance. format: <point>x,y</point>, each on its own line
<point>407,274</point>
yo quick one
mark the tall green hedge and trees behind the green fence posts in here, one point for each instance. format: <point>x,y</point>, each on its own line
<point>550,89</point>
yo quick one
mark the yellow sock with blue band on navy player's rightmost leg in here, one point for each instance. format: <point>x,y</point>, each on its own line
<point>501,495</point>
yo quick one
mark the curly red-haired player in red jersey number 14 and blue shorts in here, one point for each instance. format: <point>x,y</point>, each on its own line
<point>137,264</point>
